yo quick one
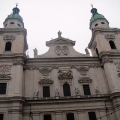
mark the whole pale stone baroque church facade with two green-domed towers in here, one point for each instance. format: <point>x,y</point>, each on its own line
<point>61,84</point>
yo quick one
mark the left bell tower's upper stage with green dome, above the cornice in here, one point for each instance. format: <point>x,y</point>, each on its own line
<point>13,35</point>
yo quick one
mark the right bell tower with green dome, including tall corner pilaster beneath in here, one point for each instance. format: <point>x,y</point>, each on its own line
<point>105,44</point>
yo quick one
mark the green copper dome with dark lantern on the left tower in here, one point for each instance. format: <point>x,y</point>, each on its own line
<point>15,15</point>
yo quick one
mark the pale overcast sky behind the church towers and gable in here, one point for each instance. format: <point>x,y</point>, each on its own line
<point>44,18</point>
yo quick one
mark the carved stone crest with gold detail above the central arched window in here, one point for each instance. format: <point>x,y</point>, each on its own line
<point>65,74</point>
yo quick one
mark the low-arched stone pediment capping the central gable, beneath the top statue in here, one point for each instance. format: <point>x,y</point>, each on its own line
<point>60,40</point>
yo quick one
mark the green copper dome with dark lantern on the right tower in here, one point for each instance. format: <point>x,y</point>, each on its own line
<point>96,15</point>
